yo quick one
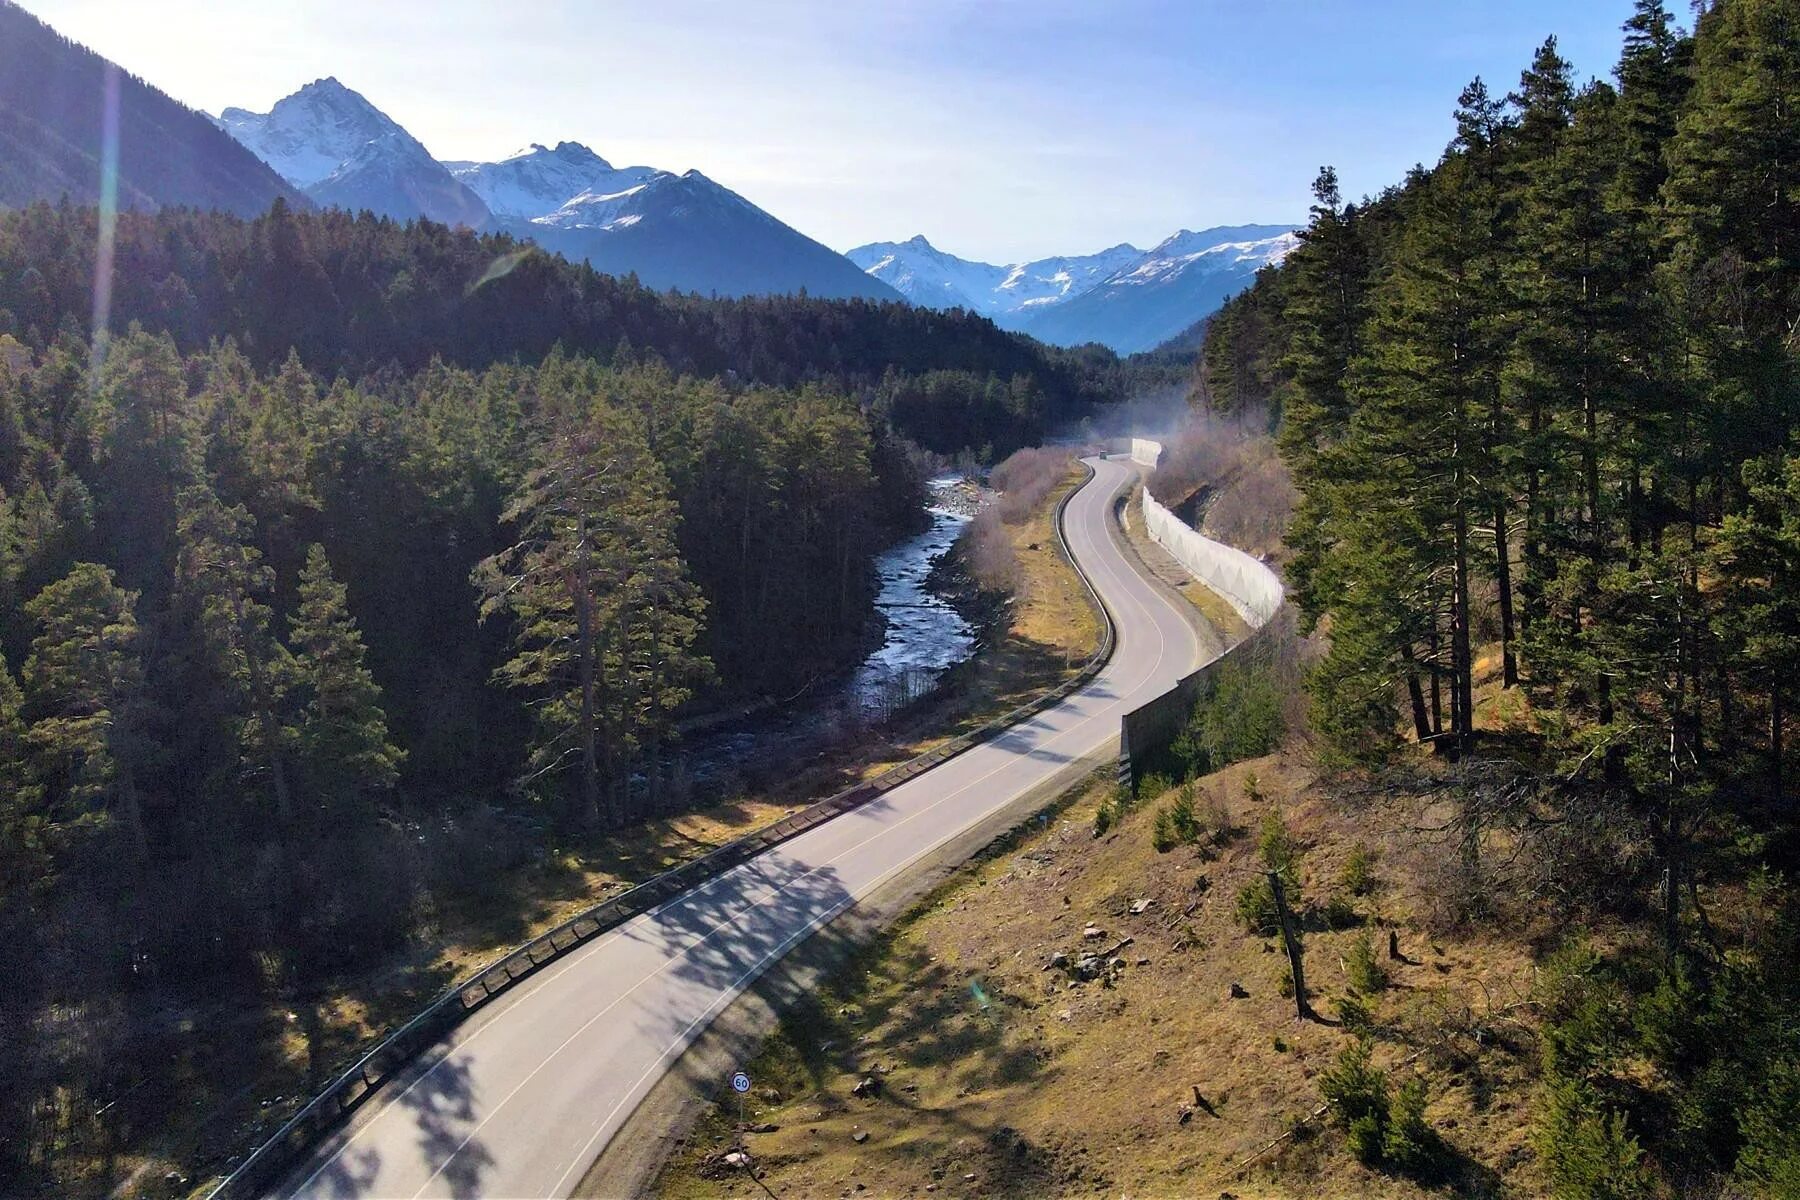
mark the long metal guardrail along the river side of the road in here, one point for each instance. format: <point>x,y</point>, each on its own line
<point>345,1095</point>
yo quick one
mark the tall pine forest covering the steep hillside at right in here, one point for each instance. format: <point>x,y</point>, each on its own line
<point>1542,404</point>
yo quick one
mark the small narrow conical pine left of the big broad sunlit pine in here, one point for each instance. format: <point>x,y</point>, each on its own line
<point>343,749</point>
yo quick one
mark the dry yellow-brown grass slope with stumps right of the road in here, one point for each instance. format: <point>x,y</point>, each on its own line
<point>998,1077</point>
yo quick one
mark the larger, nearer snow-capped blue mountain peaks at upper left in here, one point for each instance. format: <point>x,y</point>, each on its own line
<point>672,231</point>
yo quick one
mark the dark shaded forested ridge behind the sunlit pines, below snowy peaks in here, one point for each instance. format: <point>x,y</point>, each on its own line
<point>363,294</point>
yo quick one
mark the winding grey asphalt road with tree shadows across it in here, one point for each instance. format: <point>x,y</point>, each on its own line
<point>525,1097</point>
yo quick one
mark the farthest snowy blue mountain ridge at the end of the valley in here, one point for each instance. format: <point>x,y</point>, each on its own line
<point>1124,298</point>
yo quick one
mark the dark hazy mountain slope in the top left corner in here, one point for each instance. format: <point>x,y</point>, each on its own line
<point>55,103</point>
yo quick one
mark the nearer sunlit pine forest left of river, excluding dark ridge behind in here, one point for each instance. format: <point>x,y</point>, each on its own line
<point>256,623</point>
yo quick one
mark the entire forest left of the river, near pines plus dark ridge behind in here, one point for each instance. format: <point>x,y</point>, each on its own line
<point>350,562</point>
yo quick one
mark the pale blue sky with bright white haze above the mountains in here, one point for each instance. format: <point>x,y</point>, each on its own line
<point>998,129</point>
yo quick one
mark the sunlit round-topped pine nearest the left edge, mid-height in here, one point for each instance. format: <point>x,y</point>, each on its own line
<point>84,685</point>
